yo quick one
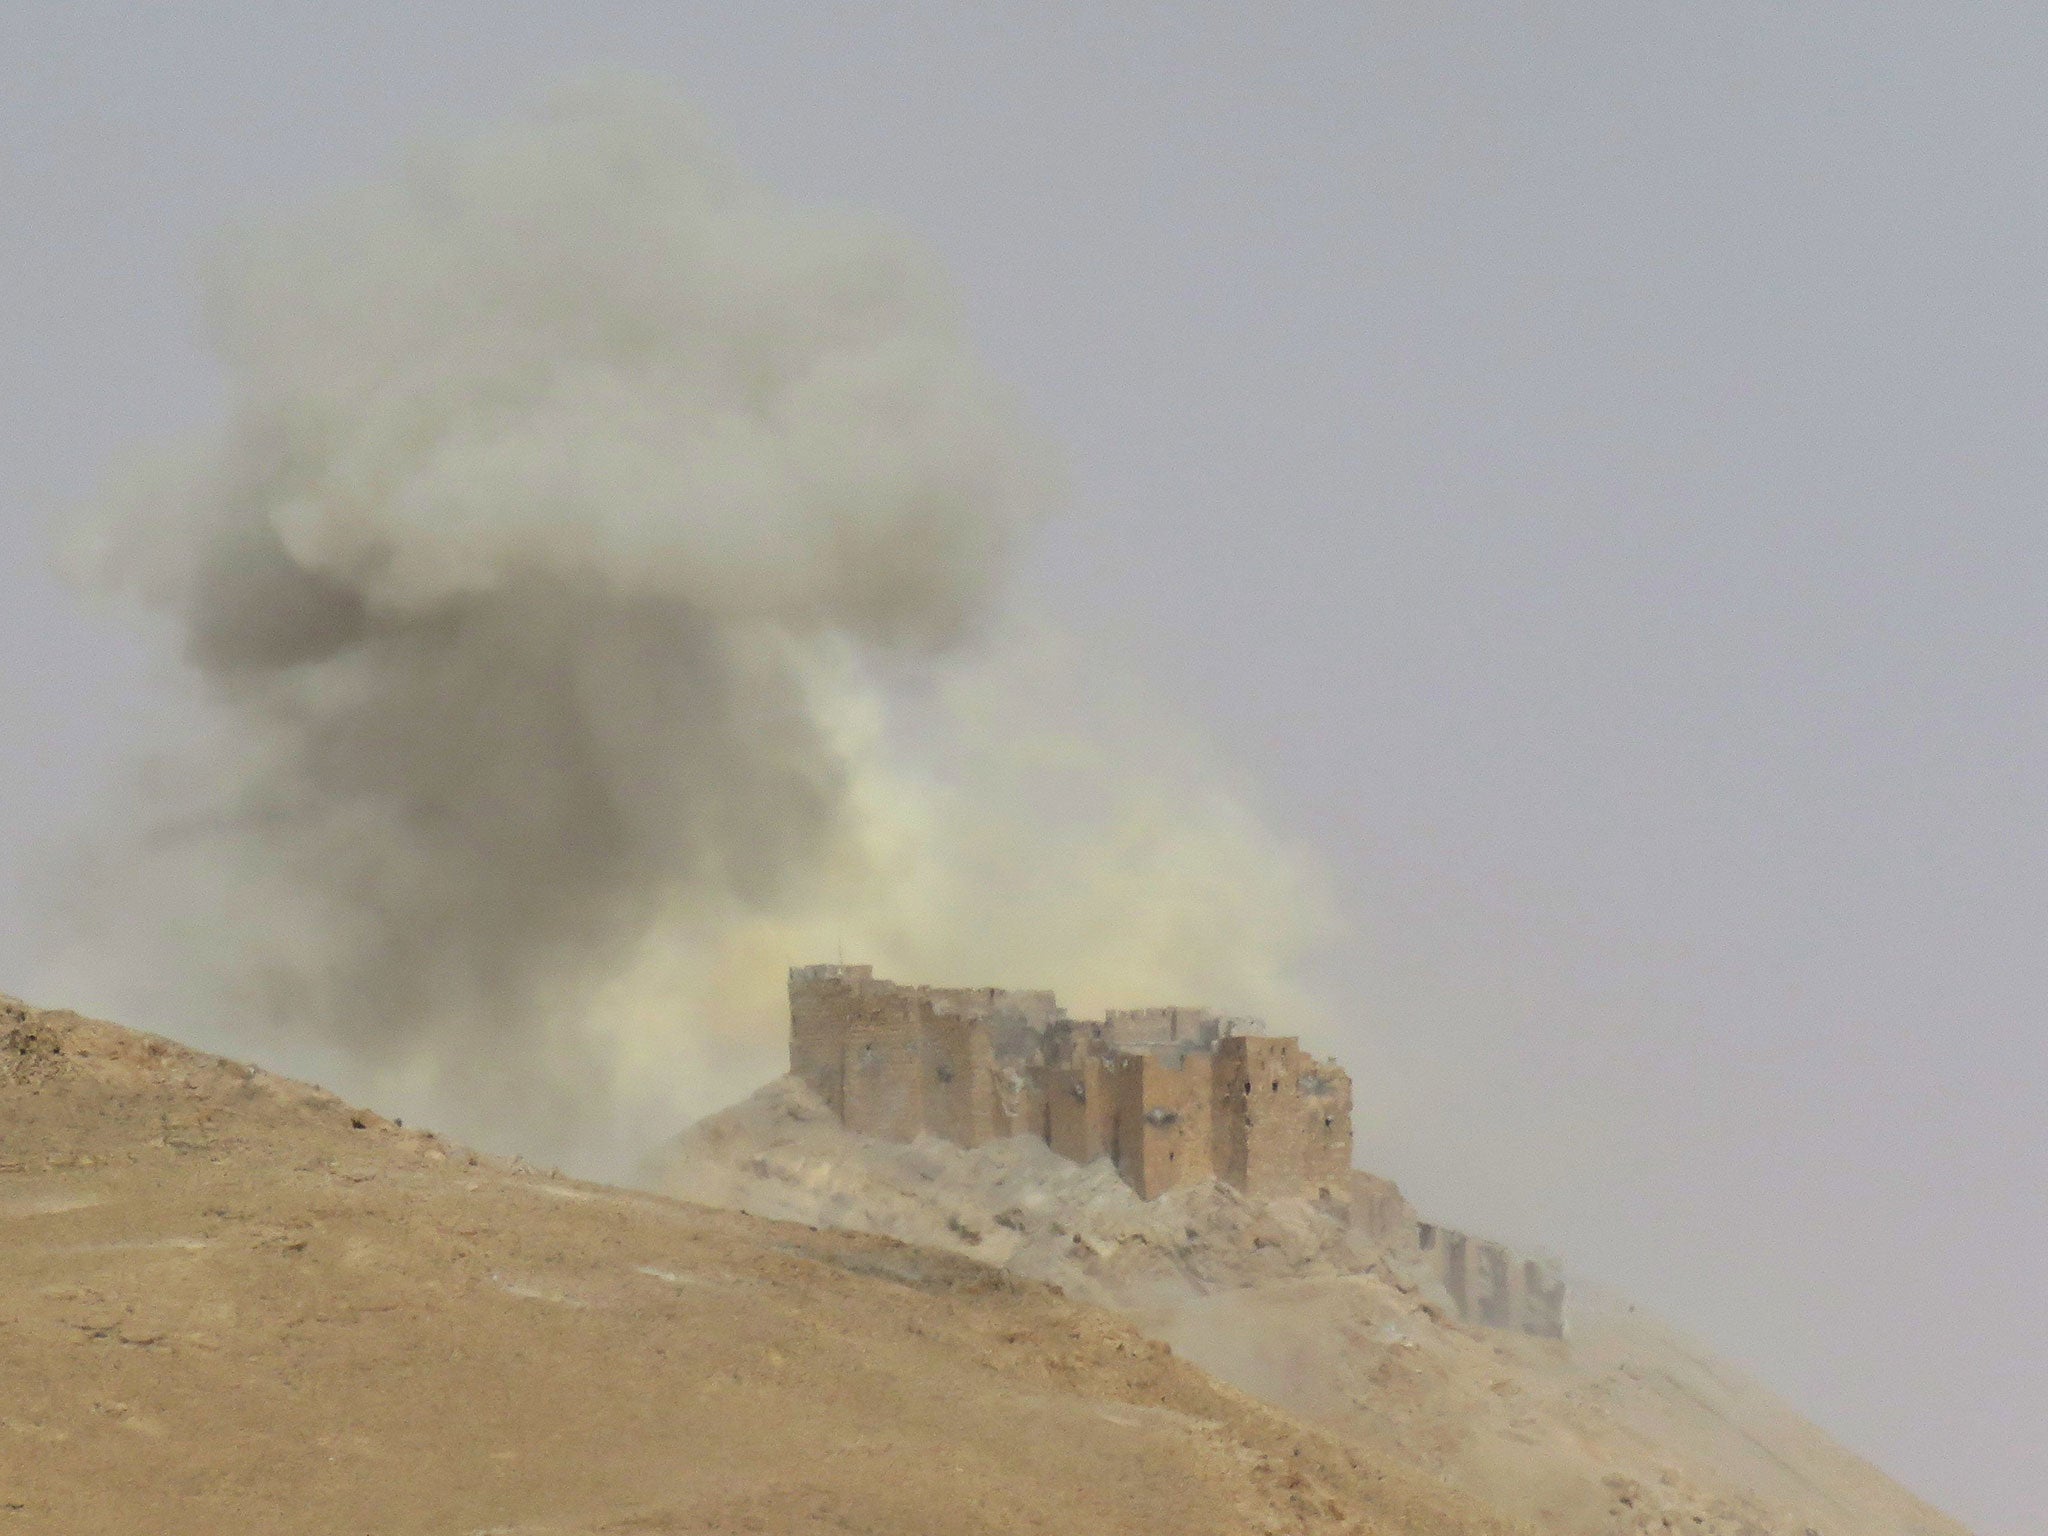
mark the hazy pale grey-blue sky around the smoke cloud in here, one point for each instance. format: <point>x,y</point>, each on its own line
<point>1582,462</point>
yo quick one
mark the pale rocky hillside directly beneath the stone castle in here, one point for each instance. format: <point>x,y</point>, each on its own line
<point>1617,1431</point>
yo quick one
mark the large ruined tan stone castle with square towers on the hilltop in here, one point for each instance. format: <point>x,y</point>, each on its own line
<point>1170,1095</point>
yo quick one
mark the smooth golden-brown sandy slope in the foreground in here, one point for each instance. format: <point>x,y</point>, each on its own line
<point>230,1304</point>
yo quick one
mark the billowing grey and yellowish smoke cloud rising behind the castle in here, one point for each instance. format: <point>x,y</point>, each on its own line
<point>597,603</point>
